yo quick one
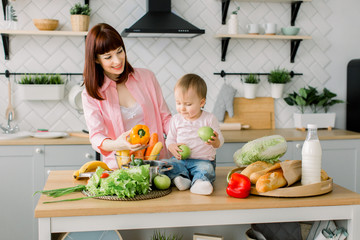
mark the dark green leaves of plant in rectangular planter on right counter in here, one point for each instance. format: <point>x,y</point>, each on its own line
<point>309,97</point>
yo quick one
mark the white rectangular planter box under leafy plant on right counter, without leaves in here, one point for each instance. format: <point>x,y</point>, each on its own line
<point>322,120</point>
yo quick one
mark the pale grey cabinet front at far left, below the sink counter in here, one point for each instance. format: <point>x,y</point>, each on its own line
<point>21,168</point>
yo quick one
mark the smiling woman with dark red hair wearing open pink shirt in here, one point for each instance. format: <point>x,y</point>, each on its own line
<point>117,96</point>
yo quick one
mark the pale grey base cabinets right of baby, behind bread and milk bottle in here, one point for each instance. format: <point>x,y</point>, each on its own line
<point>340,159</point>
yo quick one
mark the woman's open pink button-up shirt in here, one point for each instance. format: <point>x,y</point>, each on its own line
<point>104,120</point>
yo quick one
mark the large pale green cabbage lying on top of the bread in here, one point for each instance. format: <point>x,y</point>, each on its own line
<point>267,149</point>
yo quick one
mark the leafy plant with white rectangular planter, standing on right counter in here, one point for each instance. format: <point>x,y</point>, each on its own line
<point>309,99</point>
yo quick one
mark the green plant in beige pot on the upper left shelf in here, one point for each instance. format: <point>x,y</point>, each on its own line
<point>80,17</point>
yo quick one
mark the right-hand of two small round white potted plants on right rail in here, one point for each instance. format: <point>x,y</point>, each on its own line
<point>277,79</point>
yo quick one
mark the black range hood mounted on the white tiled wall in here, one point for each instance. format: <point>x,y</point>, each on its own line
<point>159,21</point>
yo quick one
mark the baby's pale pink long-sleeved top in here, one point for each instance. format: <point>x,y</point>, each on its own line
<point>184,131</point>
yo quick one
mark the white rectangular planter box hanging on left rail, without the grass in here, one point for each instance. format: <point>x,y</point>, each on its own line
<point>41,91</point>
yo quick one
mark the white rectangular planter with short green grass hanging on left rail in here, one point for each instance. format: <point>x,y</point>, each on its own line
<point>41,87</point>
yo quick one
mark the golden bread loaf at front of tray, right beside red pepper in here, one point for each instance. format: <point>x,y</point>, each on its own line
<point>270,181</point>
